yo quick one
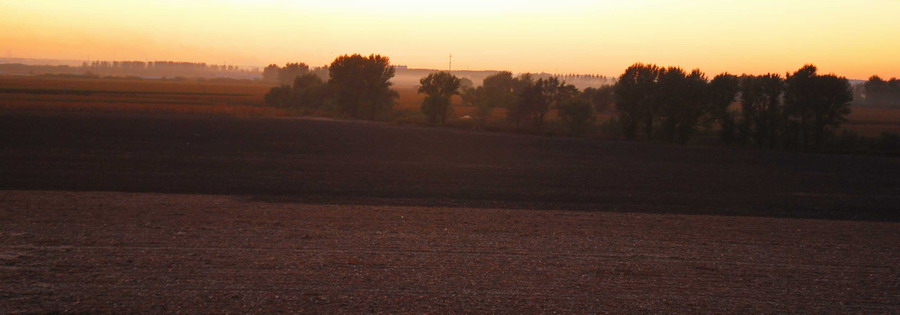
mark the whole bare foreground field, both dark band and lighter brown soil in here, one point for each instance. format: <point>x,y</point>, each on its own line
<point>149,213</point>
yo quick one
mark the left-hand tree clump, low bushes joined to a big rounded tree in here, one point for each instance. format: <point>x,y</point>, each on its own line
<point>357,87</point>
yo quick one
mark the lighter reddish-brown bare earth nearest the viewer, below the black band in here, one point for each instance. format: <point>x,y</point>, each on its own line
<point>163,253</point>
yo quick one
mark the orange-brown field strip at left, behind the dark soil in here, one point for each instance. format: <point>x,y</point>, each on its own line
<point>129,95</point>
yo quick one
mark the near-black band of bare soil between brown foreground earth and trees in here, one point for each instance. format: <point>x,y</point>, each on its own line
<point>322,161</point>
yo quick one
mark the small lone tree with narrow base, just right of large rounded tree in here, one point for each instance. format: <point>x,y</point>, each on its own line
<point>439,88</point>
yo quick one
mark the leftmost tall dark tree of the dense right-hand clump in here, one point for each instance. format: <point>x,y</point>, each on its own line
<point>634,98</point>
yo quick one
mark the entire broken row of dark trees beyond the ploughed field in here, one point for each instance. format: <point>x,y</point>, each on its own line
<point>800,110</point>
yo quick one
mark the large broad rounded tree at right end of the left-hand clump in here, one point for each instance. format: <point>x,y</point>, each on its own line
<point>361,85</point>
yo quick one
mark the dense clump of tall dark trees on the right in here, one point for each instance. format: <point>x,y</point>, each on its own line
<point>799,111</point>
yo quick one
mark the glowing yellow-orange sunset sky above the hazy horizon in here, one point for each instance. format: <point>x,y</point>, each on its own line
<point>852,38</point>
